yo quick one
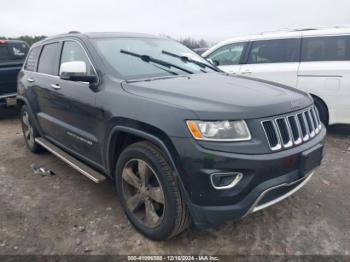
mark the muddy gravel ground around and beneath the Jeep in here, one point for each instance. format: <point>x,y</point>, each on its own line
<point>68,214</point>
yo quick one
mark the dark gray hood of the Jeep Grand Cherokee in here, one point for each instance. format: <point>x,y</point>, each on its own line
<point>221,96</point>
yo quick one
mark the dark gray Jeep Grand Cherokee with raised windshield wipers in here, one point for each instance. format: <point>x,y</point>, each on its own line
<point>183,141</point>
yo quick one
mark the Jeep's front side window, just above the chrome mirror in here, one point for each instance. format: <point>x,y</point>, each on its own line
<point>73,52</point>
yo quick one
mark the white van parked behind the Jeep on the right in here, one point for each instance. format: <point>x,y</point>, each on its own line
<point>316,61</point>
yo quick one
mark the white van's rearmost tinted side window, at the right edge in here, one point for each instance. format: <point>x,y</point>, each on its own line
<point>327,48</point>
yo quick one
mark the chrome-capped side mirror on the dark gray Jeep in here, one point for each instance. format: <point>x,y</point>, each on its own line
<point>76,71</point>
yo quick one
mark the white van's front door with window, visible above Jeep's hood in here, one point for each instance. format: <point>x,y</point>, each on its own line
<point>228,57</point>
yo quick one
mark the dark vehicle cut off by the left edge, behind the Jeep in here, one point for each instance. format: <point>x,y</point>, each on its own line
<point>12,55</point>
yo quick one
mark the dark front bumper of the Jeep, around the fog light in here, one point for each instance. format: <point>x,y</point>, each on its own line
<point>268,179</point>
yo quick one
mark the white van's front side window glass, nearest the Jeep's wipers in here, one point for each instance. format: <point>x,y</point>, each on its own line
<point>228,55</point>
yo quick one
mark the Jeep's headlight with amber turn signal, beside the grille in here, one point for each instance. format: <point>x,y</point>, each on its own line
<point>219,130</point>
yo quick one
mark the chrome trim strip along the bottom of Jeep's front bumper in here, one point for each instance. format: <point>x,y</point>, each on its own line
<point>256,207</point>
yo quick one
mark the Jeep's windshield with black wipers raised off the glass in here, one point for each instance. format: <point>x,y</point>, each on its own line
<point>139,58</point>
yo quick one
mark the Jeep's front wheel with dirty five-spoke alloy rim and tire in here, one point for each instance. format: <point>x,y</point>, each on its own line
<point>149,193</point>
